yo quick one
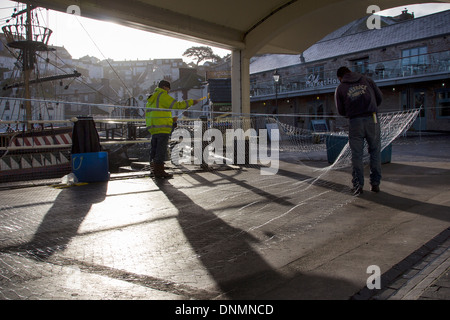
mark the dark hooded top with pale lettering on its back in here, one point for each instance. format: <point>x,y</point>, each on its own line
<point>357,96</point>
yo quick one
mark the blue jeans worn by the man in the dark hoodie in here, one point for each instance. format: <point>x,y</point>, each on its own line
<point>360,129</point>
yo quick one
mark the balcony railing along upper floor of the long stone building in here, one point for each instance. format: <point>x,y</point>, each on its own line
<point>427,64</point>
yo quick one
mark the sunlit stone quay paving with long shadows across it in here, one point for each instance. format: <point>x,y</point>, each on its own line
<point>228,234</point>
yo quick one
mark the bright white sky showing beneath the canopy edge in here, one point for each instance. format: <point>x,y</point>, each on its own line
<point>105,40</point>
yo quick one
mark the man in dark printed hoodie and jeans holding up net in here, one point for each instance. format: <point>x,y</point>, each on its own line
<point>358,98</point>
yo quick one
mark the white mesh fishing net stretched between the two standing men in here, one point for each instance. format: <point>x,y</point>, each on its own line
<point>278,140</point>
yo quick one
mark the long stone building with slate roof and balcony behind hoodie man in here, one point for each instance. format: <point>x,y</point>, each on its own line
<point>409,59</point>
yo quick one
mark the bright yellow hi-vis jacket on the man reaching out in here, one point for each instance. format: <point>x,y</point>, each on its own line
<point>161,121</point>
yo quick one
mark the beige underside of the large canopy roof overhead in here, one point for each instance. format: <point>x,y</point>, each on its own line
<point>254,26</point>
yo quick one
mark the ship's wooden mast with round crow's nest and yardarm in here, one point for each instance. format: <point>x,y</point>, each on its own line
<point>29,39</point>
